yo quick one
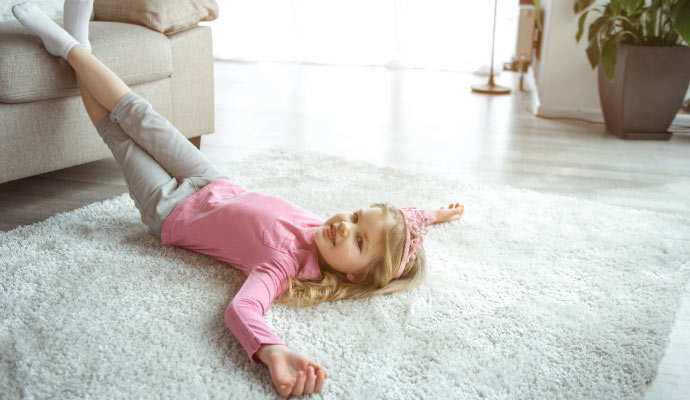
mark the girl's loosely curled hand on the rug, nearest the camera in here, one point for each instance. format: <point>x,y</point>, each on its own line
<point>292,373</point>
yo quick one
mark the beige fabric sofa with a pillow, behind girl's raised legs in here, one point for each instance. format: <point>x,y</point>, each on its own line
<point>155,46</point>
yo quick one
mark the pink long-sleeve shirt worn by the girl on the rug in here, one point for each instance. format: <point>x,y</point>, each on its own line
<point>266,237</point>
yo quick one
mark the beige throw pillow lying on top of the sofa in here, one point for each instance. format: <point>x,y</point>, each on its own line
<point>165,16</point>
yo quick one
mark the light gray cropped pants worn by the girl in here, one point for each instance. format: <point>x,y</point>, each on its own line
<point>161,167</point>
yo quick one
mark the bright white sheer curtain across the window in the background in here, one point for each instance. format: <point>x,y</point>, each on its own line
<point>434,34</point>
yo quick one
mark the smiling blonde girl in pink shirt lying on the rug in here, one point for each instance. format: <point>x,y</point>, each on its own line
<point>287,253</point>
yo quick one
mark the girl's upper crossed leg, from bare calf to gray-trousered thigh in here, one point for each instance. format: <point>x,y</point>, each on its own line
<point>141,122</point>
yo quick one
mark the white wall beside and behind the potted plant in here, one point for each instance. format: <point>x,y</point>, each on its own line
<point>566,85</point>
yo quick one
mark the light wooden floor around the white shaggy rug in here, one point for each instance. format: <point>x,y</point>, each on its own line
<point>411,119</point>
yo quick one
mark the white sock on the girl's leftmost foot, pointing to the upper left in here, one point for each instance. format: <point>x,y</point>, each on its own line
<point>56,40</point>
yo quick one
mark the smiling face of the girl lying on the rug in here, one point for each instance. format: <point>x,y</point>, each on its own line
<point>348,242</point>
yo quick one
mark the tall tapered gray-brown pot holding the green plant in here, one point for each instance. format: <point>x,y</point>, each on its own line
<point>647,91</point>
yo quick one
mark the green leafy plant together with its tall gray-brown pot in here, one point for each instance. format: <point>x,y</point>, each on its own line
<point>641,49</point>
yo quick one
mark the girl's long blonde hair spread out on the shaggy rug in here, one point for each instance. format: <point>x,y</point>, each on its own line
<point>378,278</point>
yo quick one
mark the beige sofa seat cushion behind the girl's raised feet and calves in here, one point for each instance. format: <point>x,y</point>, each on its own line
<point>29,73</point>
